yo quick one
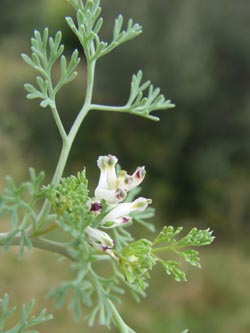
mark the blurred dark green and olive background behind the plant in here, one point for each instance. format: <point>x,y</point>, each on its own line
<point>197,157</point>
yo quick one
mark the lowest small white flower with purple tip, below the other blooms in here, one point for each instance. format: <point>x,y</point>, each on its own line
<point>99,239</point>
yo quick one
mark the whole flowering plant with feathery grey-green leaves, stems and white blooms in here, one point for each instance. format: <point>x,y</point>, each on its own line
<point>96,226</point>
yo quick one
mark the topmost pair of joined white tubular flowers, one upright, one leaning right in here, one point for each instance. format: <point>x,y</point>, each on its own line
<point>113,187</point>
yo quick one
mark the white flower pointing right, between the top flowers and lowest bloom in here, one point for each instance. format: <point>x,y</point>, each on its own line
<point>121,213</point>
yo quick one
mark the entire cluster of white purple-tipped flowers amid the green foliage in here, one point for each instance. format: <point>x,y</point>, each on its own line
<point>110,194</point>
